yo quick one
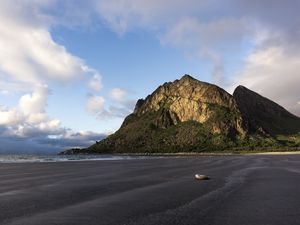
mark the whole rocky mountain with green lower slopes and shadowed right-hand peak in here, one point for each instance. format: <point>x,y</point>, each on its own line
<point>190,115</point>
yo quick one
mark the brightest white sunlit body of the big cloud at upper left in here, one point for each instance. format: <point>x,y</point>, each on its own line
<point>30,55</point>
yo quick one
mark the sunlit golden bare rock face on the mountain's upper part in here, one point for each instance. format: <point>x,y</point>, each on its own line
<point>188,99</point>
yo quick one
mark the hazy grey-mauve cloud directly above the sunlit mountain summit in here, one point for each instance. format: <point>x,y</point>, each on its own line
<point>217,34</point>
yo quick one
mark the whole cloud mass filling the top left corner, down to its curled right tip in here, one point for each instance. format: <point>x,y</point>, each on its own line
<point>28,52</point>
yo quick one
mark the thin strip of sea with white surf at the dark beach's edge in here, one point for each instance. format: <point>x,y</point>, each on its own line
<point>24,158</point>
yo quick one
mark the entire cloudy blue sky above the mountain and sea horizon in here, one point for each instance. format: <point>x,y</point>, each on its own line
<point>70,71</point>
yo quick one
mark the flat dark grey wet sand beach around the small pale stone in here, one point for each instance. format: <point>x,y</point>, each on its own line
<point>243,190</point>
